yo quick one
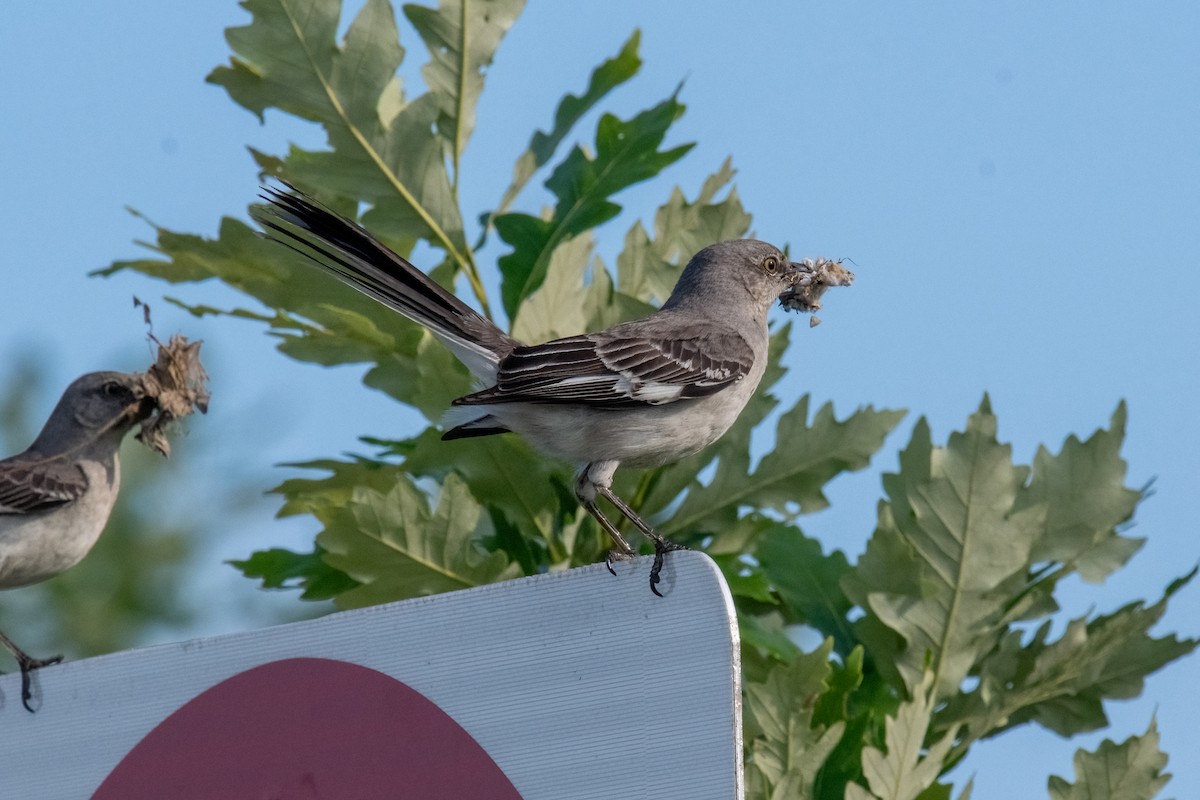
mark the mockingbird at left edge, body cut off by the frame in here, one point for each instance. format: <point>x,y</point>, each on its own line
<point>56,497</point>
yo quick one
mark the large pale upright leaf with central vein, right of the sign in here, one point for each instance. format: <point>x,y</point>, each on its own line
<point>953,508</point>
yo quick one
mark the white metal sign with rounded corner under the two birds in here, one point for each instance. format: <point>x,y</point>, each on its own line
<point>560,687</point>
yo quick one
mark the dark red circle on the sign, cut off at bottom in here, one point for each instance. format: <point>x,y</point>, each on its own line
<point>305,730</point>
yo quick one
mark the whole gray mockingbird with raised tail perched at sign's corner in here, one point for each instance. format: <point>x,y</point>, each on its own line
<point>643,394</point>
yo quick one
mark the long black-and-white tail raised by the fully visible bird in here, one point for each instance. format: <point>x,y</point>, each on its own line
<point>346,250</point>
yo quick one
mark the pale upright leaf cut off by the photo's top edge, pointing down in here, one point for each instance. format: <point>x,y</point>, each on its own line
<point>463,37</point>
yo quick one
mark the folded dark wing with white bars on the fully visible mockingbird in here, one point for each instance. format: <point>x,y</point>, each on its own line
<point>625,366</point>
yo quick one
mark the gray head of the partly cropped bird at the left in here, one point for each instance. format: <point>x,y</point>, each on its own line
<point>97,411</point>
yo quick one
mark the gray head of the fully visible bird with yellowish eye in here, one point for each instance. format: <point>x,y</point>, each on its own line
<point>741,273</point>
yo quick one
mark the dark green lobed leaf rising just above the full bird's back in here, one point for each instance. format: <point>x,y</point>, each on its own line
<point>627,153</point>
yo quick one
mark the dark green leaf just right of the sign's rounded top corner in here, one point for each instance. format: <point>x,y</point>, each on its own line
<point>808,582</point>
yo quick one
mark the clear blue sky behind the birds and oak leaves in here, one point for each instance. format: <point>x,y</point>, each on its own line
<point>1019,185</point>
